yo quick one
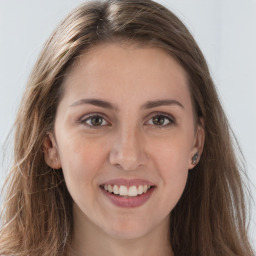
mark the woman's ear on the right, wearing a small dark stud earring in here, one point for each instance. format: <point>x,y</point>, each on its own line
<point>198,145</point>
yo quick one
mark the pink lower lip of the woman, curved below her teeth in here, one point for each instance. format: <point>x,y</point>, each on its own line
<point>128,202</point>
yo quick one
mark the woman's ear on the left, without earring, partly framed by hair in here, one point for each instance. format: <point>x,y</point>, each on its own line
<point>51,155</point>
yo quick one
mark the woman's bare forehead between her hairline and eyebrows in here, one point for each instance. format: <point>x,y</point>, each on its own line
<point>124,70</point>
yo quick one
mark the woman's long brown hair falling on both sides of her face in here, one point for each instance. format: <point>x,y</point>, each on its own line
<point>210,218</point>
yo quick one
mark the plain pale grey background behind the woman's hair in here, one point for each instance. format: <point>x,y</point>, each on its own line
<point>224,29</point>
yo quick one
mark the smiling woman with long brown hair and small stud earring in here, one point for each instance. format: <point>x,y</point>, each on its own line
<point>121,144</point>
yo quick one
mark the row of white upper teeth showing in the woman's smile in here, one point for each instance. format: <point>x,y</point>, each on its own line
<point>127,191</point>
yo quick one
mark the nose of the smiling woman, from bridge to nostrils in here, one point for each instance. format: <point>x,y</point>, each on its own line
<point>128,150</point>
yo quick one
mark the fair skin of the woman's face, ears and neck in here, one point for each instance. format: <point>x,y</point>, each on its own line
<point>127,144</point>
